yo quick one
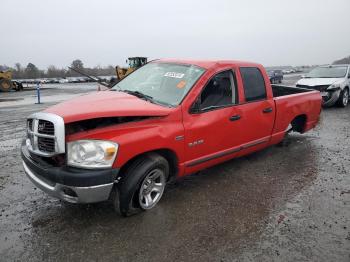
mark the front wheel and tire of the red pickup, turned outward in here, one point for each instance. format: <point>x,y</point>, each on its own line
<point>142,186</point>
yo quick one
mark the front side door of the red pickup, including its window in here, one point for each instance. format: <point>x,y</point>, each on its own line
<point>211,124</point>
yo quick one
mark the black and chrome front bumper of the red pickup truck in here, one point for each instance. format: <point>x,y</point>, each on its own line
<point>70,184</point>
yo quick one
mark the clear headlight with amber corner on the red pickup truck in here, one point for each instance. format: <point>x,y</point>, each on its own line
<point>91,154</point>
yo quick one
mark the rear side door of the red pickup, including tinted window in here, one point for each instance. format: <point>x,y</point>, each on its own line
<point>257,111</point>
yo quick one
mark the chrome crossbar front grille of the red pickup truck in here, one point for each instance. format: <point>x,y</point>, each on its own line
<point>45,134</point>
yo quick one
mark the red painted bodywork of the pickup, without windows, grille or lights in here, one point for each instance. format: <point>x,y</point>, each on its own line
<point>226,139</point>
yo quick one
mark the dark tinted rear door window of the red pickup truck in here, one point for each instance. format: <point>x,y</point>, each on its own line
<point>253,83</point>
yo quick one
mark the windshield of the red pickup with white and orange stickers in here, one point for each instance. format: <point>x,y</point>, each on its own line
<point>161,82</point>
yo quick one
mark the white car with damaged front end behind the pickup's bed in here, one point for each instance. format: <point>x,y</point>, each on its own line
<point>333,81</point>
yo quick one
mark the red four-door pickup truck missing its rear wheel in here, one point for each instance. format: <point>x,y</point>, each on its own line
<point>168,119</point>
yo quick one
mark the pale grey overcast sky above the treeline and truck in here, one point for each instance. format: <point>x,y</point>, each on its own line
<point>106,32</point>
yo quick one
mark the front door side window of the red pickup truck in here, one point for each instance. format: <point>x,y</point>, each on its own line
<point>220,91</point>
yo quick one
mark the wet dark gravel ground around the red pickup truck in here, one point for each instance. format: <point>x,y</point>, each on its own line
<point>285,203</point>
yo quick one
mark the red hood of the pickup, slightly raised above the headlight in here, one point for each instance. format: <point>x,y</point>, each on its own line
<point>106,104</point>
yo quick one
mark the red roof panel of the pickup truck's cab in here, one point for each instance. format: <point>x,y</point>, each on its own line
<point>206,64</point>
